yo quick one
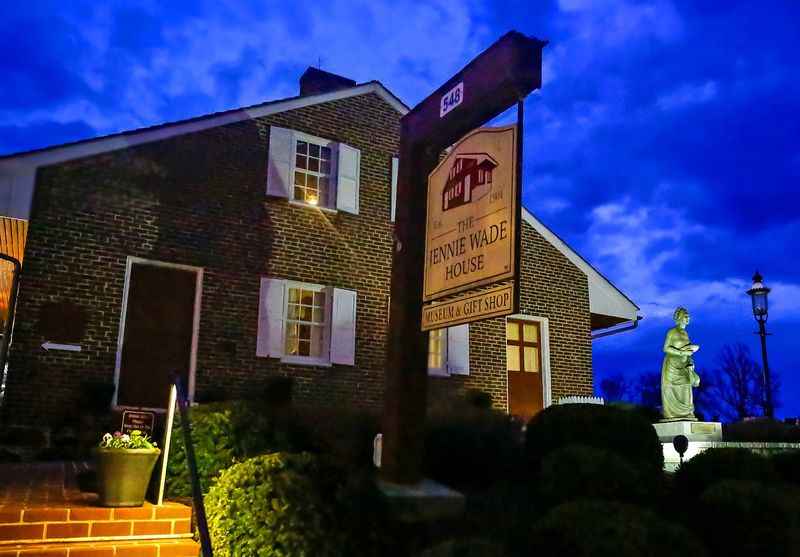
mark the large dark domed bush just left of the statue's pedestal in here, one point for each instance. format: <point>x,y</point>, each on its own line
<point>623,432</point>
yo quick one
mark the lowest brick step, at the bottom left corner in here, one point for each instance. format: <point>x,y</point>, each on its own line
<point>119,548</point>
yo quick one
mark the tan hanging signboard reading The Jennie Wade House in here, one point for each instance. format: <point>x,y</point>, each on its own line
<point>472,214</point>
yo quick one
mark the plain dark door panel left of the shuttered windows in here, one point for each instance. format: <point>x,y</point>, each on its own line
<point>159,325</point>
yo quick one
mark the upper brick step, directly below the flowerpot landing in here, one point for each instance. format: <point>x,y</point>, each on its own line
<point>20,524</point>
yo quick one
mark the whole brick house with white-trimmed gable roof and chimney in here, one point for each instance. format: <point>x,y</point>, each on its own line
<point>253,243</point>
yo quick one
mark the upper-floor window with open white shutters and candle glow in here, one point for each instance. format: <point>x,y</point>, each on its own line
<point>313,171</point>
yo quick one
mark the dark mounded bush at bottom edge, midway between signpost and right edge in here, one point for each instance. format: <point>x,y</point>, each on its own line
<point>599,529</point>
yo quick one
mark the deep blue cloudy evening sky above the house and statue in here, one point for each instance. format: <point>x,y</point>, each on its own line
<point>663,145</point>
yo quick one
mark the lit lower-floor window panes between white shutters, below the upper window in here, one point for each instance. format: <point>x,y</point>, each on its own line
<point>305,322</point>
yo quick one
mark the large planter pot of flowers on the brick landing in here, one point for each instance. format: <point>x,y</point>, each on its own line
<point>124,466</point>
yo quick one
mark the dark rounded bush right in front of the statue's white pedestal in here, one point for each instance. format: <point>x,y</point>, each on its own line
<point>714,465</point>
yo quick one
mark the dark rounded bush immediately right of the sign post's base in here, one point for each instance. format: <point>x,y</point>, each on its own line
<point>471,447</point>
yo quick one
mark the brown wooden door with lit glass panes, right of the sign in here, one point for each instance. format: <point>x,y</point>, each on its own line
<point>524,366</point>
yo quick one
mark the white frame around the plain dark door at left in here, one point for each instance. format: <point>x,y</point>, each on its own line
<point>198,296</point>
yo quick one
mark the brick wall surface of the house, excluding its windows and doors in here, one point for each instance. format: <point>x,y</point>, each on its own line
<point>199,199</point>
